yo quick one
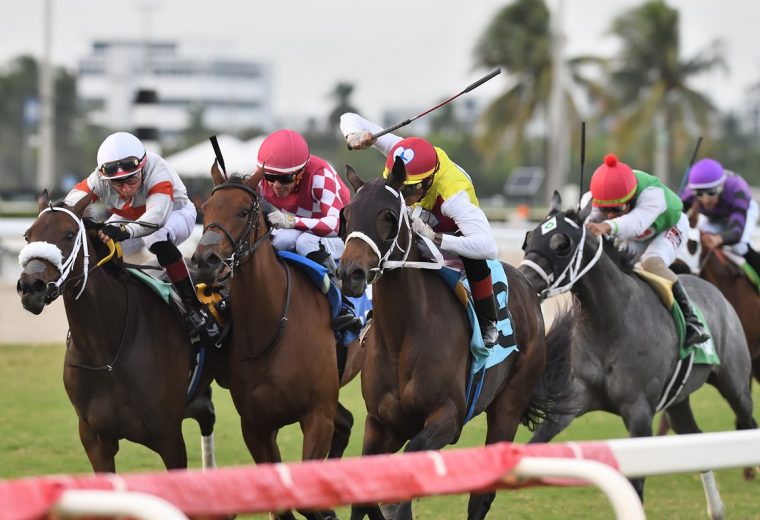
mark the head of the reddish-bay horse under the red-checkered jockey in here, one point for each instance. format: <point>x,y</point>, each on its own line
<point>232,219</point>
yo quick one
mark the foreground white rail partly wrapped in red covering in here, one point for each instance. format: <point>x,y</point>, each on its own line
<point>393,478</point>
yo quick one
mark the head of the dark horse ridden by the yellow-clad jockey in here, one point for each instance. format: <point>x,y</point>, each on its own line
<point>371,225</point>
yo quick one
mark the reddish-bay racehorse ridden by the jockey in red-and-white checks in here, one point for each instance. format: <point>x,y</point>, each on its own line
<point>282,365</point>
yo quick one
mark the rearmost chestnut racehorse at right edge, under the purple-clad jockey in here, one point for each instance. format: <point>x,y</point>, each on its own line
<point>717,268</point>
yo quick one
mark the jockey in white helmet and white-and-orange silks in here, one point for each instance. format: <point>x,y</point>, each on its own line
<point>140,186</point>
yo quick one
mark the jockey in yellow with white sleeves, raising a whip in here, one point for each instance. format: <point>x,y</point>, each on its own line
<point>451,217</point>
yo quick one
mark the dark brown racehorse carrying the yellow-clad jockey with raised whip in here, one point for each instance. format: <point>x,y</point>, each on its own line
<point>414,376</point>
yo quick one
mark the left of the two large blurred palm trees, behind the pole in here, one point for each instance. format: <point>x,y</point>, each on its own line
<point>519,39</point>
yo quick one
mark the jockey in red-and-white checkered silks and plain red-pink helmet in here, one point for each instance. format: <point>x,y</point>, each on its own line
<point>308,195</point>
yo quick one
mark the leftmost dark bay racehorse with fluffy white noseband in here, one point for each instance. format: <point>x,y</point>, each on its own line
<point>128,356</point>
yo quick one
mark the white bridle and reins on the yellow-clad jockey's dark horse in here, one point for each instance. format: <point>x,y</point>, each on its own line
<point>383,260</point>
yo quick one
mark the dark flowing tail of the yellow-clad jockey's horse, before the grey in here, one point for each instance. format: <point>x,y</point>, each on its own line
<point>554,387</point>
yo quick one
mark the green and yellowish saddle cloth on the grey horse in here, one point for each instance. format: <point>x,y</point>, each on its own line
<point>704,353</point>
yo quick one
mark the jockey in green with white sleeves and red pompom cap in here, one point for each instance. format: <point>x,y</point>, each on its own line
<point>640,210</point>
